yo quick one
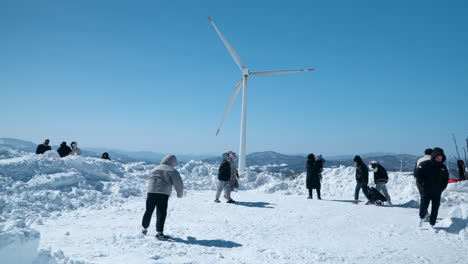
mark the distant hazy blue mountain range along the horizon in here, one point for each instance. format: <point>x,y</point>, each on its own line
<point>294,163</point>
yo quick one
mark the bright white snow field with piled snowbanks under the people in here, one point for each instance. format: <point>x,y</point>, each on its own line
<point>87,210</point>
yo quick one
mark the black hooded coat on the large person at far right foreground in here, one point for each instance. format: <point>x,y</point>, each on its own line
<point>433,176</point>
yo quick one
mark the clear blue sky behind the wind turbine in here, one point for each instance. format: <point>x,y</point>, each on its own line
<point>391,75</point>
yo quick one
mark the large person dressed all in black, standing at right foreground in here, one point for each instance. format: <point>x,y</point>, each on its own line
<point>432,175</point>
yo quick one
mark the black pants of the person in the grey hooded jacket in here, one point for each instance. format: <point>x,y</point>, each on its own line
<point>159,201</point>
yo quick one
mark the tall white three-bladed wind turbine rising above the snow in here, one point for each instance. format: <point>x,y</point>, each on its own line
<point>242,83</point>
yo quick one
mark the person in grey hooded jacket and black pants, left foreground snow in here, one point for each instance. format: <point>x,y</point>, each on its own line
<point>160,184</point>
